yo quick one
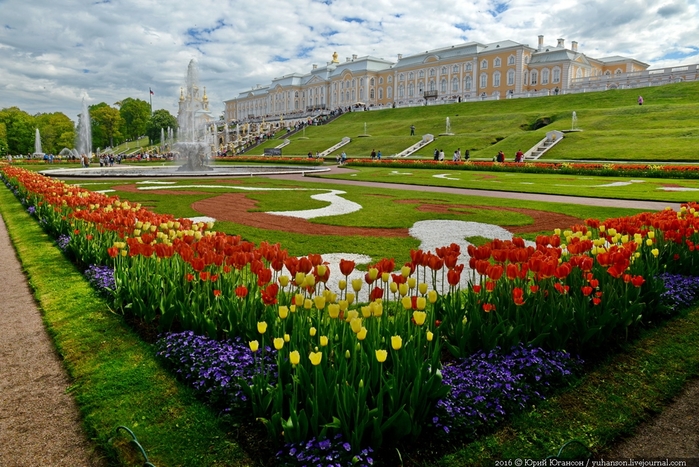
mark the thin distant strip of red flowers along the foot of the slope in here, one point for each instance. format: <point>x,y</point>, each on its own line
<point>568,168</point>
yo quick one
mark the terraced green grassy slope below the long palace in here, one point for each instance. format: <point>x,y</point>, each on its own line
<point>614,127</point>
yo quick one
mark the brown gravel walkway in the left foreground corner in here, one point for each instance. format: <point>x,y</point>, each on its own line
<point>39,422</point>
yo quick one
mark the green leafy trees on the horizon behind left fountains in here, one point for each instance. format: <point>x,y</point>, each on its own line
<point>127,119</point>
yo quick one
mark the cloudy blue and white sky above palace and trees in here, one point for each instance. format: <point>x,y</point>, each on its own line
<point>55,53</point>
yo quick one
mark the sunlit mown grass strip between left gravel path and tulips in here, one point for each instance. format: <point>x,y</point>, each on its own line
<point>116,377</point>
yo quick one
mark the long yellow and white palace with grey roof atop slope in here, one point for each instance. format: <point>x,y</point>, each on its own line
<point>465,72</point>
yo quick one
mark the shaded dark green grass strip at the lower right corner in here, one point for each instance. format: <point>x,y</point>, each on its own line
<point>605,405</point>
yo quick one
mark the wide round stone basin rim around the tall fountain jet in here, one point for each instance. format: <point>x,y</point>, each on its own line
<point>130,171</point>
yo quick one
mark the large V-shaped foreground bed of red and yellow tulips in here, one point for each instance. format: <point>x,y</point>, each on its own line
<point>367,362</point>
